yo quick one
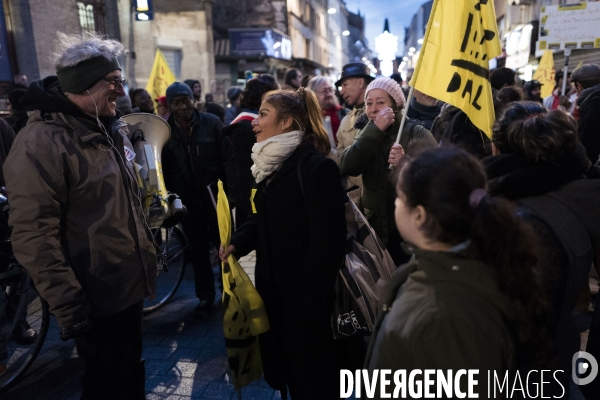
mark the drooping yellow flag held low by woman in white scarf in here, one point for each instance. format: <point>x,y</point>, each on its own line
<point>244,313</point>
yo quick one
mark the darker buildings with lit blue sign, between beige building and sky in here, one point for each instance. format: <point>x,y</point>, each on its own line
<point>316,34</point>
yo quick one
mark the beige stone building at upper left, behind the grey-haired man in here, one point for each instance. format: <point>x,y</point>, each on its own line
<point>181,29</point>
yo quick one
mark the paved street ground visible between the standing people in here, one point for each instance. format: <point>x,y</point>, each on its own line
<point>185,357</point>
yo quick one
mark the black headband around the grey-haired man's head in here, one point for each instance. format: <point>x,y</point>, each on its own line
<point>84,75</point>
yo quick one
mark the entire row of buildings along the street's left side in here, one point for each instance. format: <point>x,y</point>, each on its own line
<point>215,42</point>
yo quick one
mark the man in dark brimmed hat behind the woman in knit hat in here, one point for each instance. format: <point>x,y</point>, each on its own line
<point>354,81</point>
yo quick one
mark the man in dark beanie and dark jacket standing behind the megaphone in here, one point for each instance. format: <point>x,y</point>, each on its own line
<point>193,160</point>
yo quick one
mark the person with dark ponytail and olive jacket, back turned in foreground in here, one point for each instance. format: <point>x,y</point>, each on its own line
<point>470,297</point>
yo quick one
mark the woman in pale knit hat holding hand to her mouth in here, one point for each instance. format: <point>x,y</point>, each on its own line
<point>368,155</point>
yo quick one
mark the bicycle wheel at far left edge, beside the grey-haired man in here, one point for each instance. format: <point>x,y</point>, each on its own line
<point>27,306</point>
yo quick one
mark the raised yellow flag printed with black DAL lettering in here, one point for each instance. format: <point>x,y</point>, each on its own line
<point>461,38</point>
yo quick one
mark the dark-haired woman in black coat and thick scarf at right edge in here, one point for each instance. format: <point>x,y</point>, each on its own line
<point>539,162</point>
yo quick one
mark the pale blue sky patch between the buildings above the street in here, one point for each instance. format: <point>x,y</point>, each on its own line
<point>398,12</point>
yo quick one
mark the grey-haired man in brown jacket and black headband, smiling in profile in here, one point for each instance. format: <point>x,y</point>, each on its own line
<point>76,216</point>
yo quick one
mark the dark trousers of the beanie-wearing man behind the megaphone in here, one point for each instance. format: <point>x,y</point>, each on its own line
<point>200,229</point>
